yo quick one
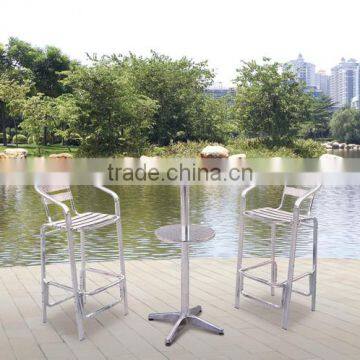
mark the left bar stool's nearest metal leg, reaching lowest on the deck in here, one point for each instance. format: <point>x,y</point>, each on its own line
<point>79,313</point>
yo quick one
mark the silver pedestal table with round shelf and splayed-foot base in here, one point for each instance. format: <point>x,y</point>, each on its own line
<point>184,233</point>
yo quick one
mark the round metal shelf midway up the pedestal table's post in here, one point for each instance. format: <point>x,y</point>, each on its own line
<point>172,233</point>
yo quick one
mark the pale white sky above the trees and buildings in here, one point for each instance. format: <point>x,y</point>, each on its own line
<point>224,32</point>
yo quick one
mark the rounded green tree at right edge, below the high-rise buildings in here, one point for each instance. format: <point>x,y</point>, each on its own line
<point>345,125</point>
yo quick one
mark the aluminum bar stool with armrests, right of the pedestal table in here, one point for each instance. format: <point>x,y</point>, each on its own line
<point>301,215</point>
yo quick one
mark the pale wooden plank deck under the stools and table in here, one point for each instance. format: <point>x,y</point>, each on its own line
<point>253,332</point>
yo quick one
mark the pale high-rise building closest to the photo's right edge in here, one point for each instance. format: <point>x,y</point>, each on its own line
<point>343,82</point>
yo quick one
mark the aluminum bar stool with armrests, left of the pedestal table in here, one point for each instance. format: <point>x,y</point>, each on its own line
<point>81,223</point>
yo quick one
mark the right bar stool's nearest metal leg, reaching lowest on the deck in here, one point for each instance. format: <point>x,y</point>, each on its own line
<point>288,287</point>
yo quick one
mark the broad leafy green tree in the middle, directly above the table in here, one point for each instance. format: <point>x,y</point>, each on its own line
<point>178,87</point>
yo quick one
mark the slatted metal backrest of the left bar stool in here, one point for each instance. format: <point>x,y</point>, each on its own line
<point>60,193</point>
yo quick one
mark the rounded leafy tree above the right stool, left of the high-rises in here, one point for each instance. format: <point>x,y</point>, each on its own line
<point>269,101</point>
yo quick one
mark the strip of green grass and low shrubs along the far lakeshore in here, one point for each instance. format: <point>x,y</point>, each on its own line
<point>252,148</point>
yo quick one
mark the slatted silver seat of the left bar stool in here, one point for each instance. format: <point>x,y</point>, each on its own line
<point>87,221</point>
